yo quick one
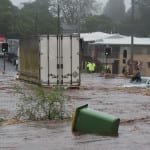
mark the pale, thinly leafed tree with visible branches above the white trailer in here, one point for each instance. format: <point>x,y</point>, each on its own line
<point>72,10</point>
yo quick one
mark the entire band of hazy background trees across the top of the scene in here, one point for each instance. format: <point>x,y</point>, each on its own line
<point>40,17</point>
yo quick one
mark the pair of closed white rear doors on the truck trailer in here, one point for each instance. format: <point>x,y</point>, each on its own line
<point>60,60</point>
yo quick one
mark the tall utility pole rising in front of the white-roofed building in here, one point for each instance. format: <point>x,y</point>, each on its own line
<point>132,37</point>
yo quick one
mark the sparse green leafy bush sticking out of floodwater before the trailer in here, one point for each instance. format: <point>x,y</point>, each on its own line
<point>40,103</point>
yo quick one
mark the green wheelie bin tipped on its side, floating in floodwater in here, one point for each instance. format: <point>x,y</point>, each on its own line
<point>86,120</point>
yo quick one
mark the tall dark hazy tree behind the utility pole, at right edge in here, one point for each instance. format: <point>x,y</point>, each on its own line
<point>141,23</point>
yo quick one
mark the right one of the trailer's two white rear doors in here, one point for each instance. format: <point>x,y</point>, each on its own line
<point>70,60</point>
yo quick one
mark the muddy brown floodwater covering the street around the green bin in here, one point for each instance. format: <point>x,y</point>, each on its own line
<point>130,104</point>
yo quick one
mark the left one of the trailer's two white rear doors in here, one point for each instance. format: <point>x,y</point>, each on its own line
<point>49,60</point>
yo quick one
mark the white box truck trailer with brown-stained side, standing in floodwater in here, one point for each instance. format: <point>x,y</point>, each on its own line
<point>50,60</point>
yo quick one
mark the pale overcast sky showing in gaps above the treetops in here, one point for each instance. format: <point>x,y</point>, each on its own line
<point>18,2</point>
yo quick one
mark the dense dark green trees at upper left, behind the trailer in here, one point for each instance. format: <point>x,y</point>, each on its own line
<point>33,18</point>
